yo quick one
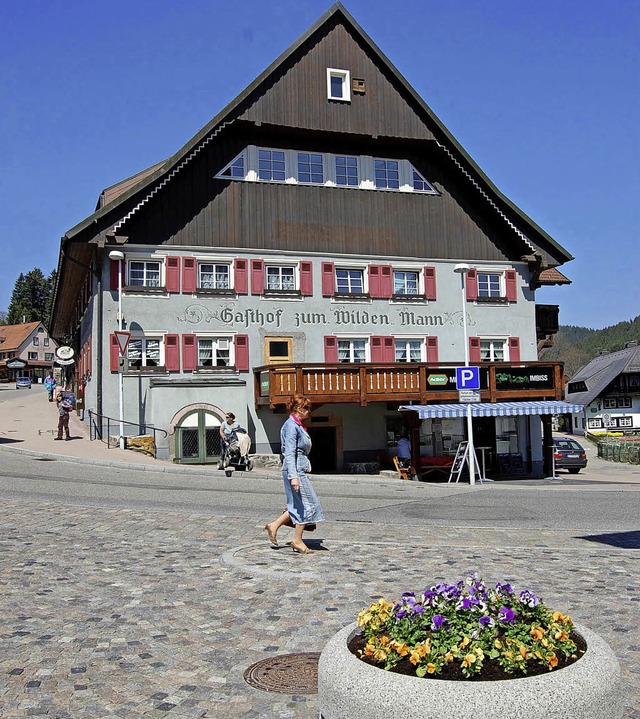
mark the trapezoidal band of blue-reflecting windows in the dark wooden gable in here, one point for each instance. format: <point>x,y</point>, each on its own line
<point>258,164</point>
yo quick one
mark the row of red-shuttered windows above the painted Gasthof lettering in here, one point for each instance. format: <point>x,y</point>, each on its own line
<point>191,275</point>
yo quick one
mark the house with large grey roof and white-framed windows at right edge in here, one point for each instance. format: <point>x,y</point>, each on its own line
<point>609,389</point>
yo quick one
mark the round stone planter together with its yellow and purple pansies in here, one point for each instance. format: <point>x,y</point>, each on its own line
<point>439,645</point>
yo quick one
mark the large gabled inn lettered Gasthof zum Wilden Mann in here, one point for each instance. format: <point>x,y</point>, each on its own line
<point>310,239</point>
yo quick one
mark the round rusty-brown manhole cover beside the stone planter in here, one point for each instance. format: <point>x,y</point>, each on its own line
<point>286,674</point>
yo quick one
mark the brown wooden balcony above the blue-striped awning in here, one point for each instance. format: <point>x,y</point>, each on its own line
<point>404,383</point>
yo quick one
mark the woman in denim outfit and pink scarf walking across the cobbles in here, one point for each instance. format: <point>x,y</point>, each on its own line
<point>303,506</point>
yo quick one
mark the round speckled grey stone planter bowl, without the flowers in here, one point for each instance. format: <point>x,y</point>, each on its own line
<point>349,688</point>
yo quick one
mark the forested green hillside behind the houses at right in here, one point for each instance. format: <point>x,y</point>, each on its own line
<point>575,346</point>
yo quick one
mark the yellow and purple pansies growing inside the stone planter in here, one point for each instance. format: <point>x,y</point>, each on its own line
<point>467,630</point>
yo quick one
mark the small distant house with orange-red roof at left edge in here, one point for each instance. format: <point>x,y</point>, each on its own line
<point>26,350</point>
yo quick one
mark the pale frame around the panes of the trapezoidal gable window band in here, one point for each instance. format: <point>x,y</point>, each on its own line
<point>365,170</point>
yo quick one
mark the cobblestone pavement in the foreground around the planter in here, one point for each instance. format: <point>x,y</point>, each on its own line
<point>109,613</point>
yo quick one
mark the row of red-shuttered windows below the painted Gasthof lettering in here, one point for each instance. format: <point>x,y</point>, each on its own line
<point>232,351</point>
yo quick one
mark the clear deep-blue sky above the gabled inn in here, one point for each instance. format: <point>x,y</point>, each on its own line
<point>543,94</point>
